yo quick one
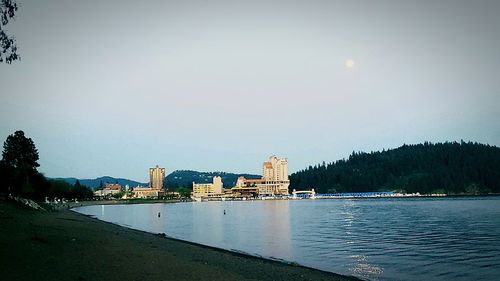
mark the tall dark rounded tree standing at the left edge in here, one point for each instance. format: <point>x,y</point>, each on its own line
<point>19,163</point>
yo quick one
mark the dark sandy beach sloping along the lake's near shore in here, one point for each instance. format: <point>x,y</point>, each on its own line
<point>64,245</point>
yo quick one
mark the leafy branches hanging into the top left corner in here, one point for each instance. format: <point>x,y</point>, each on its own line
<point>8,47</point>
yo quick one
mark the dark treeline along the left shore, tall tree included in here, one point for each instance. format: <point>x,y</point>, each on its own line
<point>19,175</point>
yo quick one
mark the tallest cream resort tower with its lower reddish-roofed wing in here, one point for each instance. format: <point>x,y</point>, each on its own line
<point>274,179</point>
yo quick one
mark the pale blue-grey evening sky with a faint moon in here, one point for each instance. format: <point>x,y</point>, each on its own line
<point>116,87</point>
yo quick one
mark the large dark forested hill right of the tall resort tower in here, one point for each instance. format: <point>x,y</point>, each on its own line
<point>451,167</point>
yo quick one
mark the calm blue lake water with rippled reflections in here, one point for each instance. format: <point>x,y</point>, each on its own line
<point>380,239</point>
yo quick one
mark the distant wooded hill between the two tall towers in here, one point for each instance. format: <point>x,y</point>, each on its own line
<point>185,178</point>
